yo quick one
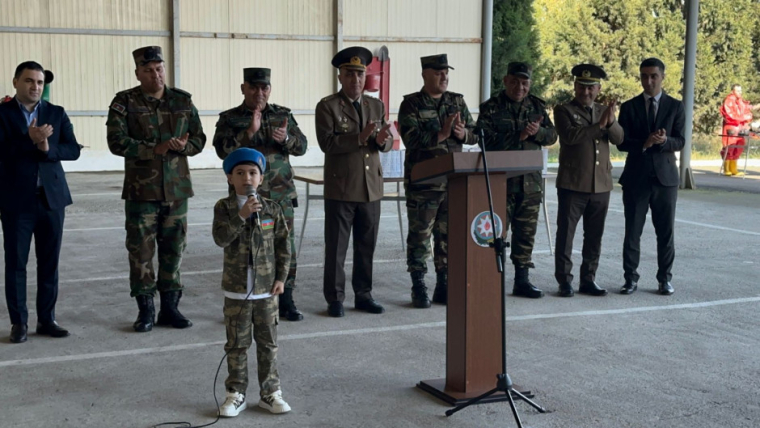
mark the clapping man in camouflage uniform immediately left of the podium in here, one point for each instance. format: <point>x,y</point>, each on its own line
<point>433,122</point>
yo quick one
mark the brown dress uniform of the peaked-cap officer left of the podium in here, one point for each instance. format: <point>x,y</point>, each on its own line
<point>353,189</point>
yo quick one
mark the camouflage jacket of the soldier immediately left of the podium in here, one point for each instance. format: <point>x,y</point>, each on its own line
<point>420,117</point>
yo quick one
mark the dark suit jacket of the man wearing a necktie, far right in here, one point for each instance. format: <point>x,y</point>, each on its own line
<point>633,119</point>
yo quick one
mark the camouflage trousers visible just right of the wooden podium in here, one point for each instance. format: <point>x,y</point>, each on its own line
<point>523,210</point>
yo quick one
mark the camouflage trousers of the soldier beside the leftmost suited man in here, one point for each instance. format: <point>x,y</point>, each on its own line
<point>149,223</point>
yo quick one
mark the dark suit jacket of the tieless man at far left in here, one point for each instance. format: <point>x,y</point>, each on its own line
<point>21,161</point>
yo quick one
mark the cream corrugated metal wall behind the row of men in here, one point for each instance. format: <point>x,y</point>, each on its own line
<point>218,38</point>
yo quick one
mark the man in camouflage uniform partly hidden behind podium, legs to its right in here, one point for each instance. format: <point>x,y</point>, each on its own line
<point>516,120</point>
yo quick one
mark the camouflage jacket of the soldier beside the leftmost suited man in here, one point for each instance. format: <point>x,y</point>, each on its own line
<point>136,123</point>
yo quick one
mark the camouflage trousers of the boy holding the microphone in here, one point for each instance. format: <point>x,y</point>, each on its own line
<point>243,319</point>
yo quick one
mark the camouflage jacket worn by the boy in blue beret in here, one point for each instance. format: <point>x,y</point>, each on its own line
<point>266,248</point>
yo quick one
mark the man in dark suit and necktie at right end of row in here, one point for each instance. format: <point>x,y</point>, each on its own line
<point>654,130</point>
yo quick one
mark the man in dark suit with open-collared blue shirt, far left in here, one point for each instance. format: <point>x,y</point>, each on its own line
<point>35,136</point>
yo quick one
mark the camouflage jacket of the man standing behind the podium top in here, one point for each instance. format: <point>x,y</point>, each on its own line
<point>502,120</point>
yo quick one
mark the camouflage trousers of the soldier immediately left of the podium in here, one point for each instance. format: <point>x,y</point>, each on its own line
<point>428,213</point>
